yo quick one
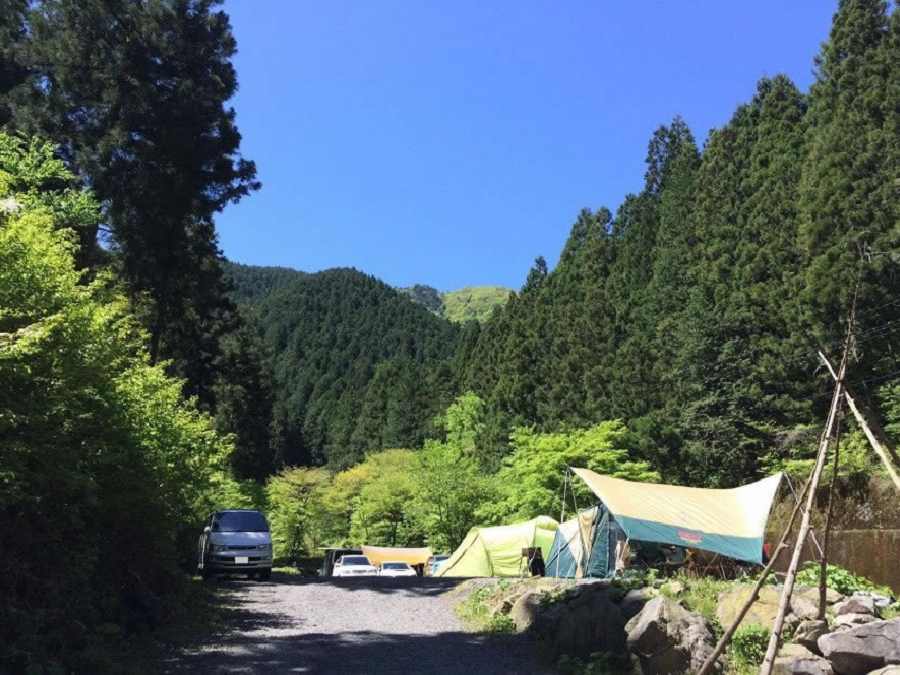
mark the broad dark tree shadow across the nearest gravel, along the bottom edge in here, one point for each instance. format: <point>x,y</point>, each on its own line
<point>364,652</point>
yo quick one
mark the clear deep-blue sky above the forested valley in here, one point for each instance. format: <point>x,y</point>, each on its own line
<point>450,143</point>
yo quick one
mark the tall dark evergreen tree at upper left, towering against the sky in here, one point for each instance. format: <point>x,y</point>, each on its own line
<point>136,93</point>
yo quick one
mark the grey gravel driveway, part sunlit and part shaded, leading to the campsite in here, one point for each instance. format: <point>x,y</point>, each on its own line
<point>370,625</point>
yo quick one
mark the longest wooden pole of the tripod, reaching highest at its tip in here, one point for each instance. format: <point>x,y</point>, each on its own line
<point>836,401</point>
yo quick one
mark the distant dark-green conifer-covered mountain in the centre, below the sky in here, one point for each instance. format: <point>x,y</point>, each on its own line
<point>357,365</point>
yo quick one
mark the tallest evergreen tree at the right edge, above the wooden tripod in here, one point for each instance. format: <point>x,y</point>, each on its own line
<point>849,208</point>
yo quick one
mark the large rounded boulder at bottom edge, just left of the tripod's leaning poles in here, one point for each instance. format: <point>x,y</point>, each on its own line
<point>668,639</point>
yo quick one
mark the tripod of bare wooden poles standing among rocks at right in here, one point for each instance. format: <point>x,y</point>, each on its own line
<point>804,506</point>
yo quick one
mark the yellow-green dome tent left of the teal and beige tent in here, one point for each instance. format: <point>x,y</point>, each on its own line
<point>497,551</point>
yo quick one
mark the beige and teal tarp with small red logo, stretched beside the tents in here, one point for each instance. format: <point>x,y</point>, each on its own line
<point>730,522</point>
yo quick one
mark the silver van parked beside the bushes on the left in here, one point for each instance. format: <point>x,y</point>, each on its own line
<point>236,541</point>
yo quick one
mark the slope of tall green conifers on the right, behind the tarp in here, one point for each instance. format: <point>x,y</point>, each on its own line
<point>696,311</point>
